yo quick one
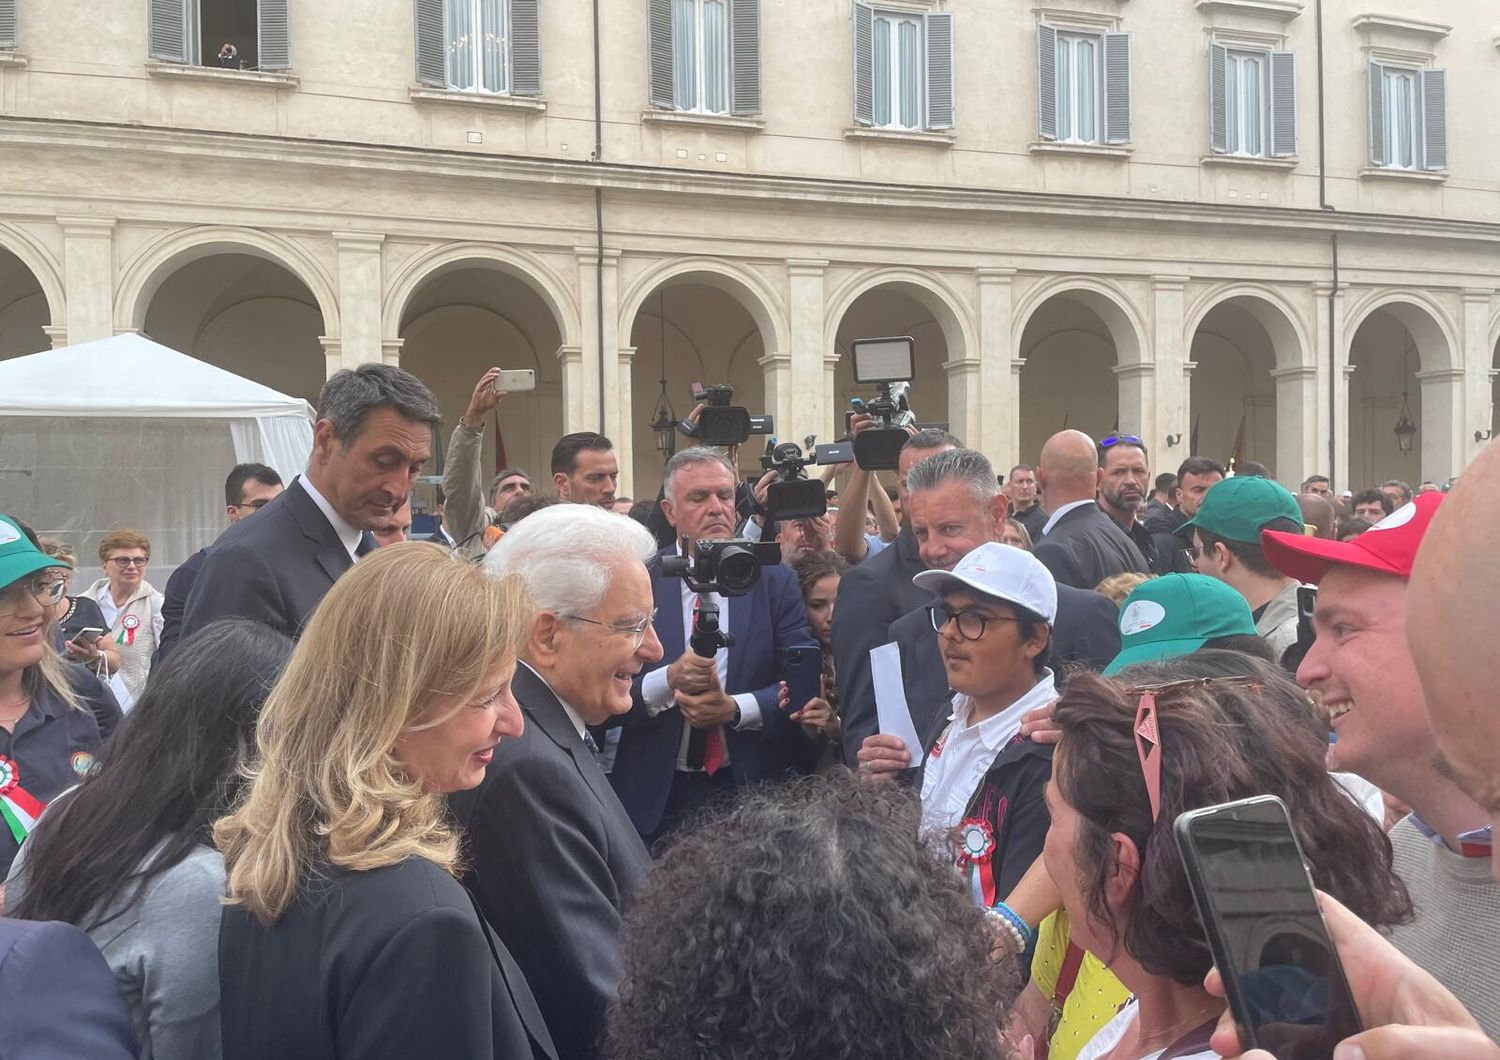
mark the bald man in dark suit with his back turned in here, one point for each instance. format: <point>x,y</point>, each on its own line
<point>1081,545</point>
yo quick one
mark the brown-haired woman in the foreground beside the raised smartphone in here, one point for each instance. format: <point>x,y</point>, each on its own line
<point>1114,800</point>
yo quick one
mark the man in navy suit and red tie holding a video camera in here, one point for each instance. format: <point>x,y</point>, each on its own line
<point>703,725</point>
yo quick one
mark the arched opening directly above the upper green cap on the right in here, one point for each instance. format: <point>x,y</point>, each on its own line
<point>1234,395</point>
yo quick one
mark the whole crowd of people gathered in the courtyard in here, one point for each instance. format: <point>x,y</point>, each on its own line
<point>544,786</point>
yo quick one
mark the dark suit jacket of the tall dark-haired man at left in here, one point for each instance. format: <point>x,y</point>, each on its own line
<point>272,569</point>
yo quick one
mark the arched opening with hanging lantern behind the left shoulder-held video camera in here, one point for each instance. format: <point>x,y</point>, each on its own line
<point>691,332</point>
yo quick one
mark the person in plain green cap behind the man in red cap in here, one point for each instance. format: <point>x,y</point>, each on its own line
<point>1226,545</point>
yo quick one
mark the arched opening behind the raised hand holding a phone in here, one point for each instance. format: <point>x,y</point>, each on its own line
<point>473,316</point>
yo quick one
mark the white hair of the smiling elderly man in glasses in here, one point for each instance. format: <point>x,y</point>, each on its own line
<point>568,555</point>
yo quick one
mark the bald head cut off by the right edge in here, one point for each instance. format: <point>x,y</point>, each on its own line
<point>1453,626</point>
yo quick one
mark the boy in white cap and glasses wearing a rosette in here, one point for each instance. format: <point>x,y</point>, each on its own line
<point>982,786</point>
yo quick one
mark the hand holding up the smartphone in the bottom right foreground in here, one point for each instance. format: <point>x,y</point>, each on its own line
<point>1414,1017</point>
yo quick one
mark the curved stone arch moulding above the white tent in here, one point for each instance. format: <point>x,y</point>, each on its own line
<point>146,274</point>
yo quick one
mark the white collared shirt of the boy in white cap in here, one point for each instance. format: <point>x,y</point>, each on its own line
<point>956,767</point>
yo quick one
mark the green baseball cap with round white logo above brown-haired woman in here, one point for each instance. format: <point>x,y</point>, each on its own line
<point>1175,615</point>
